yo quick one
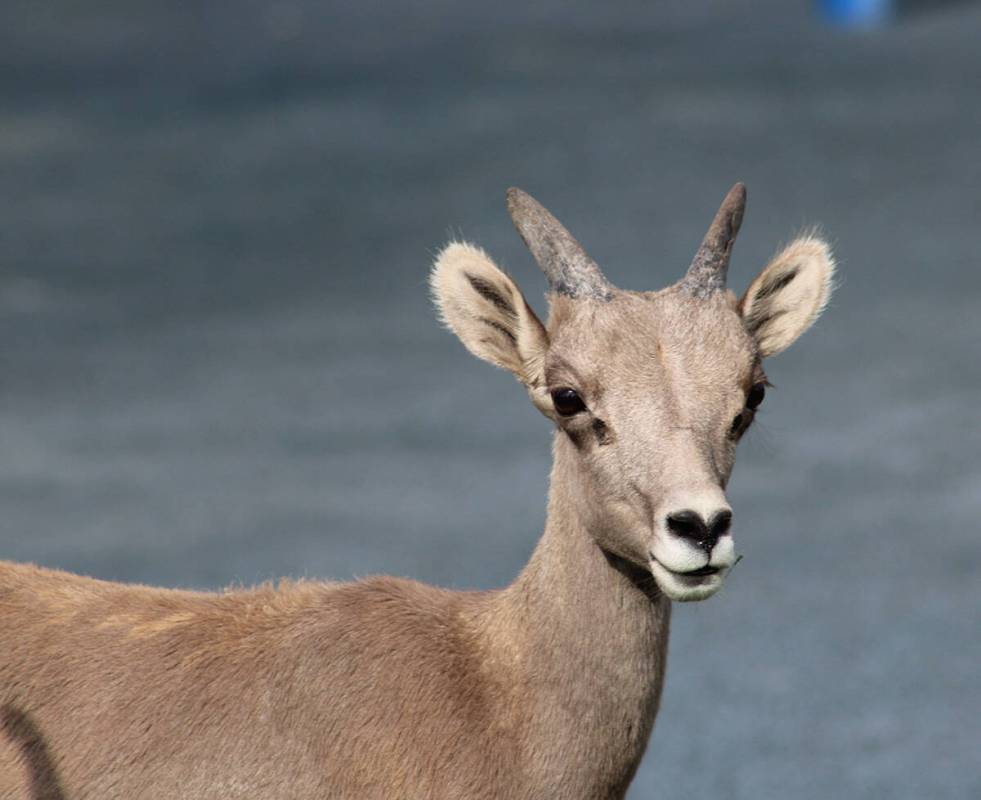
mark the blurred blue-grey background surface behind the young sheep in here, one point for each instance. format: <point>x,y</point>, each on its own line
<point>219,364</point>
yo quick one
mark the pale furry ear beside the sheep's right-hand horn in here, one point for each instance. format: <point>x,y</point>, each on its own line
<point>789,294</point>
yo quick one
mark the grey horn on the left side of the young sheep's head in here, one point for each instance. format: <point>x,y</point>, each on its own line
<point>566,266</point>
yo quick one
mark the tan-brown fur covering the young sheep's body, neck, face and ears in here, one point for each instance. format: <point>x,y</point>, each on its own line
<point>385,688</point>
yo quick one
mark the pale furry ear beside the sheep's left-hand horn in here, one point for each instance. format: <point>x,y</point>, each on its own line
<point>488,313</point>
